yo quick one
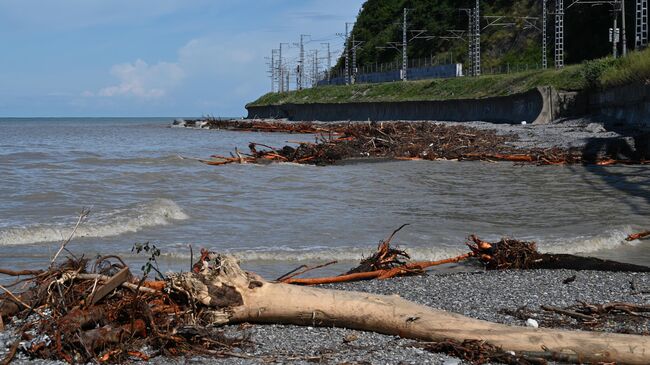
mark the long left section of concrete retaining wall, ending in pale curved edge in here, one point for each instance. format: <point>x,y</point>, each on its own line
<point>536,106</point>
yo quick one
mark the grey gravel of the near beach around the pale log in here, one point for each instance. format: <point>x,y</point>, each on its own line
<point>480,294</point>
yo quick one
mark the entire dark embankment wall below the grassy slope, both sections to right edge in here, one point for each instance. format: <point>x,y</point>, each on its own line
<point>627,105</point>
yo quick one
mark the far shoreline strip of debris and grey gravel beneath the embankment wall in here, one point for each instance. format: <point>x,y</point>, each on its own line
<point>586,140</point>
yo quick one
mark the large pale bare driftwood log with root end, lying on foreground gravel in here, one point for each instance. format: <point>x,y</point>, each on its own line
<point>234,296</point>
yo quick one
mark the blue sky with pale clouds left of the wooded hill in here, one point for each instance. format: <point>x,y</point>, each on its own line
<point>152,57</point>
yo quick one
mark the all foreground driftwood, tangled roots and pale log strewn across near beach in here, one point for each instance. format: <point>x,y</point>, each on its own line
<point>78,311</point>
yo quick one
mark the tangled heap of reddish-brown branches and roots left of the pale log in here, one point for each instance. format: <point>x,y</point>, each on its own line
<point>105,315</point>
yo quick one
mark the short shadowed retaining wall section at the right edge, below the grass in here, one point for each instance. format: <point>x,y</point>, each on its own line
<point>628,105</point>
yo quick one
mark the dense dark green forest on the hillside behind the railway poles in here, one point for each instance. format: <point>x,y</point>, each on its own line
<point>586,31</point>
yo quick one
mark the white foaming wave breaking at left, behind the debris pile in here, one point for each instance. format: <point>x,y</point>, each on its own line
<point>158,212</point>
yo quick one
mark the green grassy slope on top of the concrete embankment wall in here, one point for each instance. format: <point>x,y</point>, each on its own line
<point>602,73</point>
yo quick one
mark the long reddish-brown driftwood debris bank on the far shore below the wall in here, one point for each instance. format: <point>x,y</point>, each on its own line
<point>399,141</point>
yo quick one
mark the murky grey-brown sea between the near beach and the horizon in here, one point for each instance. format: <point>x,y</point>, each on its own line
<point>142,183</point>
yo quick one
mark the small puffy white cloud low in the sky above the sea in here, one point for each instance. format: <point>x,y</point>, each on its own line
<point>142,80</point>
